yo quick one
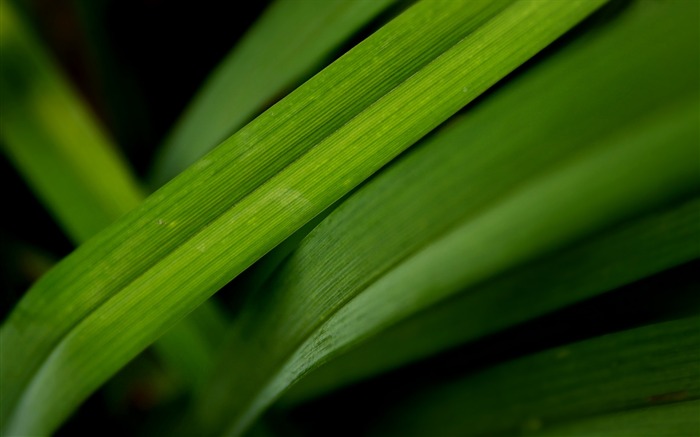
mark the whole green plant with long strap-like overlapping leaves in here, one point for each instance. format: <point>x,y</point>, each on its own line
<point>360,249</point>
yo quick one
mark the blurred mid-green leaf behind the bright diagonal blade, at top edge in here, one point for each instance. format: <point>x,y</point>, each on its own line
<point>290,38</point>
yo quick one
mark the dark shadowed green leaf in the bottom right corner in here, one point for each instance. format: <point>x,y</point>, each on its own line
<point>640,368</point>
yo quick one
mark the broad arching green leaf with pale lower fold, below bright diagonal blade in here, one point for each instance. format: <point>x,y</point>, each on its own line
<point>460,210</point>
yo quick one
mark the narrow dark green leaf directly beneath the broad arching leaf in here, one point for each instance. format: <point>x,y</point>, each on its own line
<point>626,253</point>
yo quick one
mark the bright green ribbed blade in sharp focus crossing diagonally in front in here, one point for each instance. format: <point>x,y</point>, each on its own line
<point>122,289</point>
